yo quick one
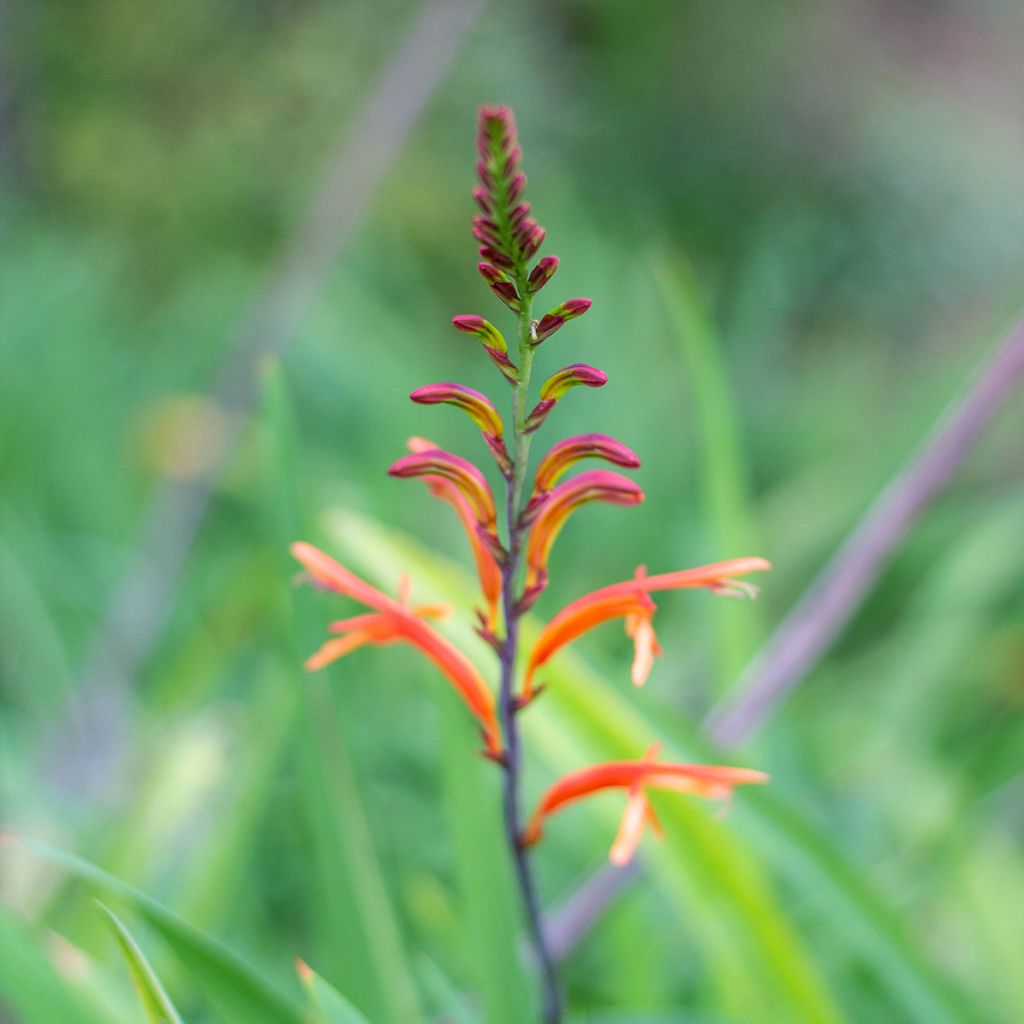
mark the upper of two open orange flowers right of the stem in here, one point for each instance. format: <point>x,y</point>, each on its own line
<point>630,601</point>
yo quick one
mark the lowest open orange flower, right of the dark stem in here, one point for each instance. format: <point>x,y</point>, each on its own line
<point>710,782</point>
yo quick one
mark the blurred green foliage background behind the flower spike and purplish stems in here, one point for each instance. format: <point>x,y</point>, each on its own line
<point>802,226</point>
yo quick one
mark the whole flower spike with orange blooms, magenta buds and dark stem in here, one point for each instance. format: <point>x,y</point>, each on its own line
<point>513,556</point>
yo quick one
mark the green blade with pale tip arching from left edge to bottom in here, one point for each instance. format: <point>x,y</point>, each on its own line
<point>235,989</point>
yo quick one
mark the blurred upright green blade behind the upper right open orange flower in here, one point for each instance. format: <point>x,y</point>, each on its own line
<point>724,474</point>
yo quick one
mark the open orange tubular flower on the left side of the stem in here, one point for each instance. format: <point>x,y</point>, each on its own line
<point>397,622</point>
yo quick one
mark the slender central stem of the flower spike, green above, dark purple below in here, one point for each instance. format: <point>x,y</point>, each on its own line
<point>508,697</point>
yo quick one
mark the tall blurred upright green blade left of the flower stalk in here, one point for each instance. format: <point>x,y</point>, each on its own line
<point>359,936</point>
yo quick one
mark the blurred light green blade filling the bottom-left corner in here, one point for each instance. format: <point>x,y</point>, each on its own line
<point>32,990</point>
